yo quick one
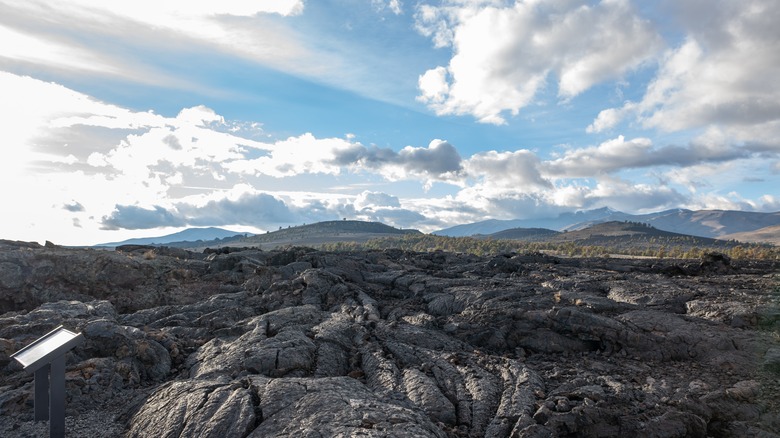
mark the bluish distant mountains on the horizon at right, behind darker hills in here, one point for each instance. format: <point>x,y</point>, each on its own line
<point>702,223</point>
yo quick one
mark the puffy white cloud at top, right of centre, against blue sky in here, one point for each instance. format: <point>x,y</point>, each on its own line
<point>504,53</point>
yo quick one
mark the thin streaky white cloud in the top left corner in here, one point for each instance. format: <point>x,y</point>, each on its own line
<point>68,39</point>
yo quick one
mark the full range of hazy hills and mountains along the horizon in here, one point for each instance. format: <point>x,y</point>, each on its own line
<point>716,224</point>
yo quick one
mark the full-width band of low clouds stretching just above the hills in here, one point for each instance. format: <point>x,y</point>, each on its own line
<point>85,164</point>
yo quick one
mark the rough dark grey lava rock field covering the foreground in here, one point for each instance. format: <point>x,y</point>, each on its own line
<point>304,343</point>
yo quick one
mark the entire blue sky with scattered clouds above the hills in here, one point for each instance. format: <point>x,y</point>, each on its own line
<point>142,118</point>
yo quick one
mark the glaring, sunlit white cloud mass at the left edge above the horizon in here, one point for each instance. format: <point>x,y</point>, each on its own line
<point>136,169</point>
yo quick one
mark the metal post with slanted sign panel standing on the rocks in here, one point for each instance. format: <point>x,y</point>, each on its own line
<point>45,358</point>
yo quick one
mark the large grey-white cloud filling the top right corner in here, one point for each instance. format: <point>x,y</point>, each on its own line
<point>718,76</point>
